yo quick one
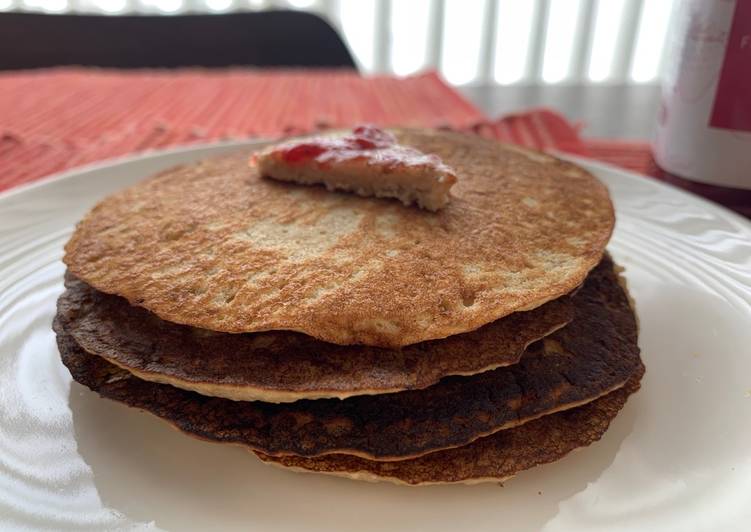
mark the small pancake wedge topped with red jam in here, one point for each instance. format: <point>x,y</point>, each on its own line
<point>367,161</point>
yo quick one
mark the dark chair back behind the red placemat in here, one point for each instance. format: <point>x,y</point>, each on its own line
<point>266,38</point>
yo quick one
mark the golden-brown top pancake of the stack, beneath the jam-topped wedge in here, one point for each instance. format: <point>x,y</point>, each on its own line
<point>213,245</point>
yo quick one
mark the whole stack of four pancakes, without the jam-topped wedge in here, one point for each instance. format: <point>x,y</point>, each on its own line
<point>355,336</point>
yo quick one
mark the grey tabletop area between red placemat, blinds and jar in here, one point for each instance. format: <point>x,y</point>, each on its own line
<point>624,112</point>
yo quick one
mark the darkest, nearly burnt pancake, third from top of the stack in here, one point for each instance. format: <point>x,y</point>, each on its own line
<point>595,354</point>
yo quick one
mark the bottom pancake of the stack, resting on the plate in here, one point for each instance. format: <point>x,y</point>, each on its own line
<point>495,458</point>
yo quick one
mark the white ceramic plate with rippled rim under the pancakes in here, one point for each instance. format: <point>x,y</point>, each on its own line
<point>677,458</point>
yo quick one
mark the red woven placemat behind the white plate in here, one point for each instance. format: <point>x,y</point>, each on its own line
<point>51,120</point>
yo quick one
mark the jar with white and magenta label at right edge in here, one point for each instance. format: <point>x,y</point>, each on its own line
<point>704,123</point>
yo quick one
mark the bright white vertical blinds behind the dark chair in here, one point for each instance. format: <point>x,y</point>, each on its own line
<point>471,42</point>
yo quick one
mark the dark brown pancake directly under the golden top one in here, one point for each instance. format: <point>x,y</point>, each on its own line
<point>283,366</point>
